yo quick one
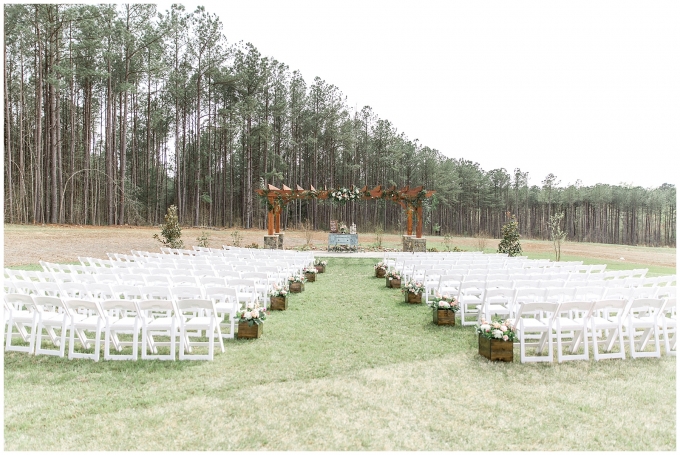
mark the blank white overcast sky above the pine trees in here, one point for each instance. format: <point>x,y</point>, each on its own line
<point>585,90</point>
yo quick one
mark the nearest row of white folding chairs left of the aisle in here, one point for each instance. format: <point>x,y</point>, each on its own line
<point>187,318</point>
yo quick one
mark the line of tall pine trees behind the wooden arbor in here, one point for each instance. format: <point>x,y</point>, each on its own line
<point>115,112</point>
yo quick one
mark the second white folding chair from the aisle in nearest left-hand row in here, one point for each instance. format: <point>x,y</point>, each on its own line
<point>159,318</point>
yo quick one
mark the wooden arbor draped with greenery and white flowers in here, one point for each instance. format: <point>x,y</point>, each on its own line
<point>411,199</point>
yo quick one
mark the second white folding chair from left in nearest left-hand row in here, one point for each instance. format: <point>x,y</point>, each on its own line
<point>51,315</point>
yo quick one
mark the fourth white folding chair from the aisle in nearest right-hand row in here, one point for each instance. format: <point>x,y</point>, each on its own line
<point>643,314</point>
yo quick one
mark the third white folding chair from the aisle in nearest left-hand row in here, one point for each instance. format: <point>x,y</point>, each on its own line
<point>121,317</point>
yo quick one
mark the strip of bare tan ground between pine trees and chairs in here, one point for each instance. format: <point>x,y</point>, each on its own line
<point>62,243</point>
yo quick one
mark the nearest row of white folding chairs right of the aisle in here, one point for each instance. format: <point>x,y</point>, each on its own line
<point>604,322</point>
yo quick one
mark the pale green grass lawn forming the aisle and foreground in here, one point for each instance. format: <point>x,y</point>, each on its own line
<point>348,366</point>
